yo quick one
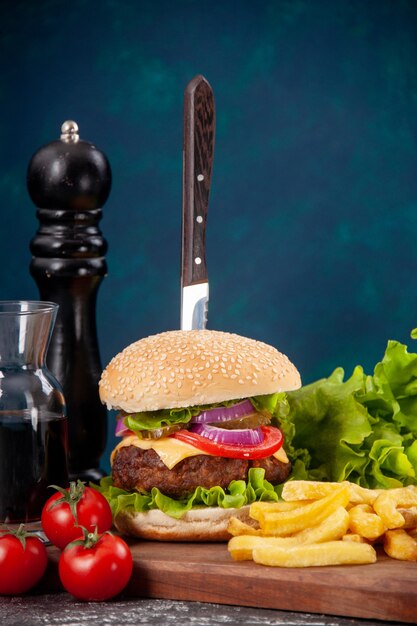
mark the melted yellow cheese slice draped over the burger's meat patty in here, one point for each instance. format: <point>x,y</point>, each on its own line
<point>172,451</point>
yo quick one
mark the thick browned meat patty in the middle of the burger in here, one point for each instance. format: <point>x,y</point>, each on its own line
<point>141,470</point>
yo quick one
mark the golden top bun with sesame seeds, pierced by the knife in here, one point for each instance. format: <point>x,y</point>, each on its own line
<point>184,368</point>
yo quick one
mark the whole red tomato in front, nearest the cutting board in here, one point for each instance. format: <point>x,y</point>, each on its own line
<point>96,568</point>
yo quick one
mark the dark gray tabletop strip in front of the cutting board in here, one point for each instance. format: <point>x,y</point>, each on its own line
<point>60,609</point>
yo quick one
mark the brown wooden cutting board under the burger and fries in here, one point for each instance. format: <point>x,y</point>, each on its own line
<point>386,590</point>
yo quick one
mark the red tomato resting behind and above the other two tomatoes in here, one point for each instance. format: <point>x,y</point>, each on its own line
<point>70,508</point>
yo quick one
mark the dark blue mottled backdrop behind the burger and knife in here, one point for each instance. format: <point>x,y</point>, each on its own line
<point>312,234</point>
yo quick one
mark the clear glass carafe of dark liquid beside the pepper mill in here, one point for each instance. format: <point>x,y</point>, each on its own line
<point>33,419</point>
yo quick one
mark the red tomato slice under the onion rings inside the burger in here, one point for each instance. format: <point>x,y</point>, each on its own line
<point>272,442</point>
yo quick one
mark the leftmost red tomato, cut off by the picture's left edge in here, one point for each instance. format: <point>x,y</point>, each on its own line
<point>23,561</point>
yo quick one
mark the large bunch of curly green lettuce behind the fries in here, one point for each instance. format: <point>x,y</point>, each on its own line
<point>363,429</point>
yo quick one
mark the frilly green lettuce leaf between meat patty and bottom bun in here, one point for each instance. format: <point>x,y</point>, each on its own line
<point>238,494</point>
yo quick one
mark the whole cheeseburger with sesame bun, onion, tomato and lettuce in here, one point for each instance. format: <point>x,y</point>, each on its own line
<point>199,441</point>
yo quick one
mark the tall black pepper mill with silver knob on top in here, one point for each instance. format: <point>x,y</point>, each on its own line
<point>69,181</point>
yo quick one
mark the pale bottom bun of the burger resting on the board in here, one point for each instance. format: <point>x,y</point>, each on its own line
<point>199,524</point>
